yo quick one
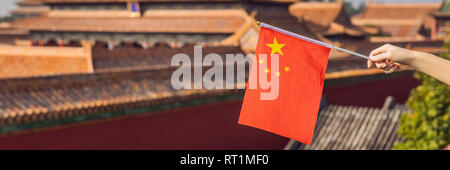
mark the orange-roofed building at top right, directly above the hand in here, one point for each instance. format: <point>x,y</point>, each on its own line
<point>403,21</point>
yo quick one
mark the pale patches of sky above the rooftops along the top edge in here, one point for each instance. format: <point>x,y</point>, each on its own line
<point>7,5</point>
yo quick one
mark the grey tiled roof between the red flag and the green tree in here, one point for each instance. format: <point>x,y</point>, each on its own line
<point>355,128</point>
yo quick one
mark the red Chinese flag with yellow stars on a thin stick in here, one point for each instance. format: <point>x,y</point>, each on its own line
<point>301,73</point>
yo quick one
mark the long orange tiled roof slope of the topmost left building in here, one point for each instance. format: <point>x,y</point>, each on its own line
<point>173,22</point>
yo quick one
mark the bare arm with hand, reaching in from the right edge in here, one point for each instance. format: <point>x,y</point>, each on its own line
<point>432,65</point>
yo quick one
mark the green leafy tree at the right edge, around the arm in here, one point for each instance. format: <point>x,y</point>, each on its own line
<point>427,125</point>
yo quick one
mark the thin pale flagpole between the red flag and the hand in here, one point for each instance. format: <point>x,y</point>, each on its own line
<point>310,39</point>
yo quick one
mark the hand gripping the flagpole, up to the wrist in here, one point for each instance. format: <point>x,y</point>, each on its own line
<point>388,57</point>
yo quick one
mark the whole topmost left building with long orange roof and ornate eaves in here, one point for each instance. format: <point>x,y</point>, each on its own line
<point>147,22</point>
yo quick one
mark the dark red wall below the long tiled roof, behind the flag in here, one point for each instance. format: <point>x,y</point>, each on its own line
<point>204,127</point>
